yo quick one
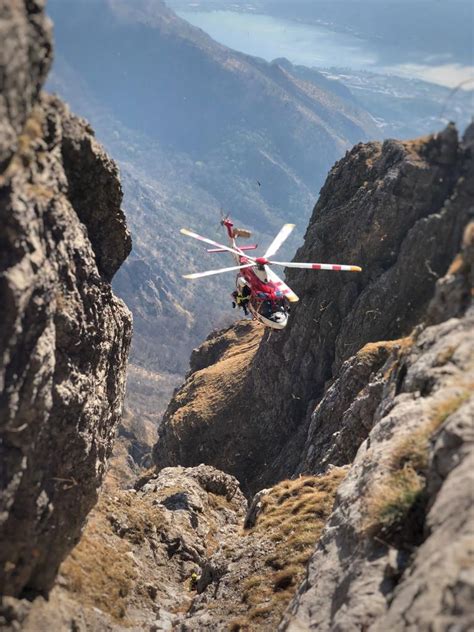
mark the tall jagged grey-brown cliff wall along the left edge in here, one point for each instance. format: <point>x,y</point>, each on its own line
<point>64,338</point>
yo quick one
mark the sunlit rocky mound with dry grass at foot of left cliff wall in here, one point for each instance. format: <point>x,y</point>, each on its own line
<point>133,568</point>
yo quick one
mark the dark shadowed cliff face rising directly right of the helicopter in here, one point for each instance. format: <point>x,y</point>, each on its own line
<point>398,209</point>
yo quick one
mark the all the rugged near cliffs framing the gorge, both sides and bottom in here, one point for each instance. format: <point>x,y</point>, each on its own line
<point>359,415</point>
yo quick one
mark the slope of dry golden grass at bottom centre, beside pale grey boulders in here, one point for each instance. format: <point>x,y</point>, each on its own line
<point>248,582</point>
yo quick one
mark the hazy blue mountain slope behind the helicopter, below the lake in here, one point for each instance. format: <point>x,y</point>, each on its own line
<point>194,126</point>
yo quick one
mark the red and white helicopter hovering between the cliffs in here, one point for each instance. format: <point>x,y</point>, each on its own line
<point>268,295</point>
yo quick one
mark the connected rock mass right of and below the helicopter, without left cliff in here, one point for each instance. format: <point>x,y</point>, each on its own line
<point>367,524</point>
